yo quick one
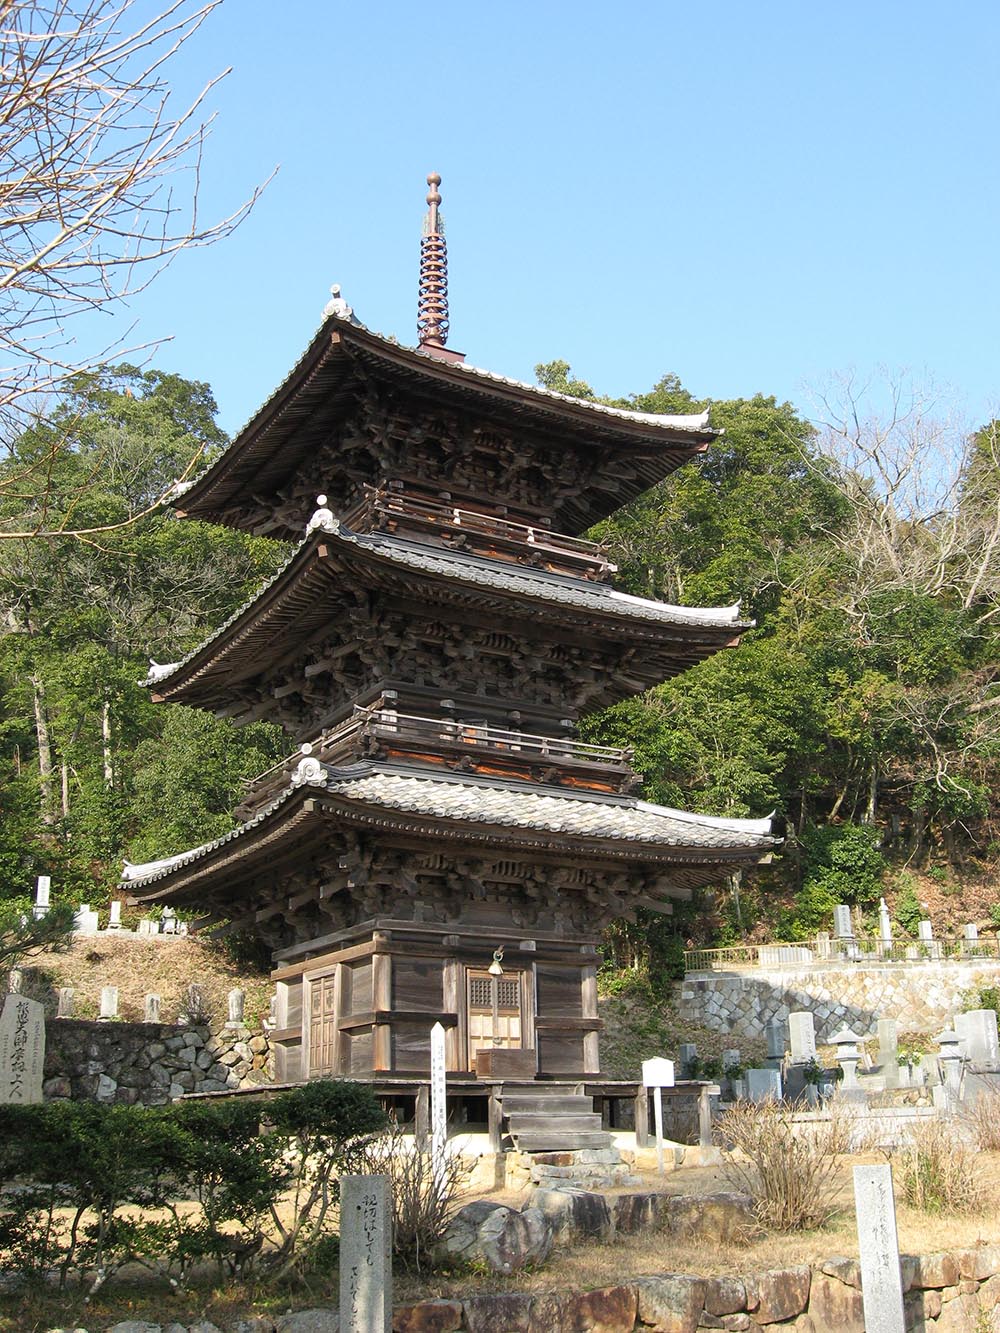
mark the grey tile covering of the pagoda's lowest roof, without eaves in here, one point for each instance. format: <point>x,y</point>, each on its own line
<point>502,806</point>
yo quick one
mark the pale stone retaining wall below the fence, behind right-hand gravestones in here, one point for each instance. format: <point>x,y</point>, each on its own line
<point>922,996</point>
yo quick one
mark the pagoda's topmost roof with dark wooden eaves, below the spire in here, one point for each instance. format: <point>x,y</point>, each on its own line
<point>338,365</point>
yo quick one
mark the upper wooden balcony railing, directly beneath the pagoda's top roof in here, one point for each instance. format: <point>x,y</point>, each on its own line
<point>481,534</point>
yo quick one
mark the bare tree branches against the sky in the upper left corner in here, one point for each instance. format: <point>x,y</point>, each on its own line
<point>99,187</point>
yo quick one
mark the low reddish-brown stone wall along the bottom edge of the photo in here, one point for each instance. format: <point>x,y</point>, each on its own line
<point>950,1292</point>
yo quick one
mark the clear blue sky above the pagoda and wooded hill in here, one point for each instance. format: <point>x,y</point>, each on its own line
<point>751,197</point>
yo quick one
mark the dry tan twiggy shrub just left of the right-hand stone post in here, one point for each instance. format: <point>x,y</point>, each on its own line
<point>790,1171</point>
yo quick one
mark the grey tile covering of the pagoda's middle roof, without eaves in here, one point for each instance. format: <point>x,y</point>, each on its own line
<point>479,573</point>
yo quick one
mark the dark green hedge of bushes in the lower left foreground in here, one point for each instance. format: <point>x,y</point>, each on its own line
<point>107,1186</point>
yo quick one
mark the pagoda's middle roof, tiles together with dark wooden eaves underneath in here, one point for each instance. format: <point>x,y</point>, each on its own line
<point>295,605</point>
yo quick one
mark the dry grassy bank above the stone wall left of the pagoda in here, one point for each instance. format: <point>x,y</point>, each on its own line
<point>137,966</point>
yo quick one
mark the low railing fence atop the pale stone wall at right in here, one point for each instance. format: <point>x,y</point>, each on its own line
<point>826,952</point>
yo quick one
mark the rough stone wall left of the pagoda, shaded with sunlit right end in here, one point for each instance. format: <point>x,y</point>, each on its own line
<point>149,1063</point>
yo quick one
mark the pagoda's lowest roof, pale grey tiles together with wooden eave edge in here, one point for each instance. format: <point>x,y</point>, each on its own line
<point>462,810</point>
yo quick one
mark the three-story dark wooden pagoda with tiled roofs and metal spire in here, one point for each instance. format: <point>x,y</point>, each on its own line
<point>431,643</point>
